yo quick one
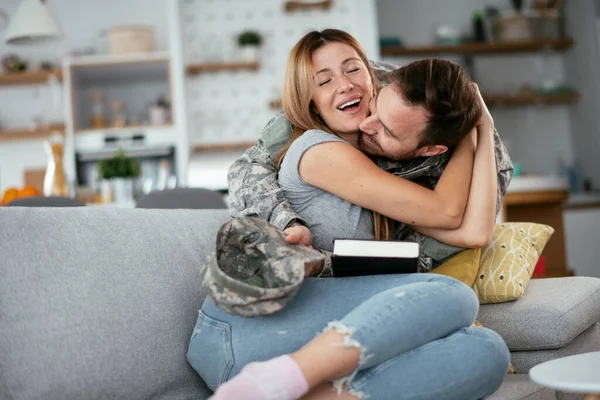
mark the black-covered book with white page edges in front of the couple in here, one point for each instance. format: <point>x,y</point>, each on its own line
<point>373,257</point>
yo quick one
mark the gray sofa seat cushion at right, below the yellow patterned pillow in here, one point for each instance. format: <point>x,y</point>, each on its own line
<point>550,314</point>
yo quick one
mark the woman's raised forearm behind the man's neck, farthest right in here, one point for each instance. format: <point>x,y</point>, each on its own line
<point>478,222</point>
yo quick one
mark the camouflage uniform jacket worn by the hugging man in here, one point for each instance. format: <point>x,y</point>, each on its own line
<point>254,190</point>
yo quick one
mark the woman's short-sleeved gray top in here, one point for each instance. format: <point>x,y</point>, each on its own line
<point>329,216</point>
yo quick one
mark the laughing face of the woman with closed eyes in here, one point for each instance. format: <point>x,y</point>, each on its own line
<point>343,87</point>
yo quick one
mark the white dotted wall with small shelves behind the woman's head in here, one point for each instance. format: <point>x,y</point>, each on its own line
<point>233,106</point>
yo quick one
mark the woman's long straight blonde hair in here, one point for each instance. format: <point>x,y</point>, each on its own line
<point>298,91</point>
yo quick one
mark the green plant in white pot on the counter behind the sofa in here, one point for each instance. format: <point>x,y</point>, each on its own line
<point>118,174</point>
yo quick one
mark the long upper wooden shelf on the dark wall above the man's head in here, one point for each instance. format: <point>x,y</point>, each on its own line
<point>480,48</point>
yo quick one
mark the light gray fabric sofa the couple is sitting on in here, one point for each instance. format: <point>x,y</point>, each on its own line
<point>99,303</point>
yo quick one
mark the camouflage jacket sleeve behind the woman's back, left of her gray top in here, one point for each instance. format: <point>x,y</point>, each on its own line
<point>252,179</point>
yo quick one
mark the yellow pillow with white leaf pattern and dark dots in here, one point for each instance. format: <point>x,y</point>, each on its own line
<point>508,262</point>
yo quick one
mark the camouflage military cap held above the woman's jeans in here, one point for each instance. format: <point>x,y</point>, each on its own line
<point>253,270</point>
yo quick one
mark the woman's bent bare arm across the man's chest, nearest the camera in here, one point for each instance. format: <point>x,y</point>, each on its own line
<point>341,169</point>
